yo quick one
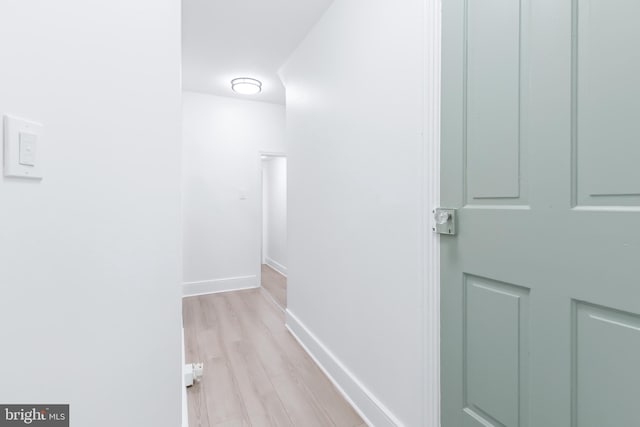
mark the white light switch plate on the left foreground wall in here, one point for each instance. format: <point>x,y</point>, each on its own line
<point>22,148</point>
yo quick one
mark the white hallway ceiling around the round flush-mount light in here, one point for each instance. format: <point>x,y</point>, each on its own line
<point>224,39</point>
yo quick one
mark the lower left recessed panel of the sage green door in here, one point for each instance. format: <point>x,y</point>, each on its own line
<point>496,351</point>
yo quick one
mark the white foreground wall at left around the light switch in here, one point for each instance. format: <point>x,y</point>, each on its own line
<point>90,256</point>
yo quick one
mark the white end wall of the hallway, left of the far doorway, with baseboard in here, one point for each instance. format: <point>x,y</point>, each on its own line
<point>222,140</point>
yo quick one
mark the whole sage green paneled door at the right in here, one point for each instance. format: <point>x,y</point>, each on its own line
<point>541,155</point>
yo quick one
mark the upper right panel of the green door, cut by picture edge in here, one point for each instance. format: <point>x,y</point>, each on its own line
<point>607,102</point>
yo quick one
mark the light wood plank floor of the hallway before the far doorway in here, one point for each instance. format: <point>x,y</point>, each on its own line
<point>255,372</point>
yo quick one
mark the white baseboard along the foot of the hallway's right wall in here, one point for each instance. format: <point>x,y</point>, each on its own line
<point>372,411</point>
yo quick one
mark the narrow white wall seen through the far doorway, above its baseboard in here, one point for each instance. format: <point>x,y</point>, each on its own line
<point>275,212</point>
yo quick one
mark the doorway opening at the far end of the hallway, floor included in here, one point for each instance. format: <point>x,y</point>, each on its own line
<point>273,251</point>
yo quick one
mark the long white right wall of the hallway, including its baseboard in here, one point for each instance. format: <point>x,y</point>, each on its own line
<point>355,116</point>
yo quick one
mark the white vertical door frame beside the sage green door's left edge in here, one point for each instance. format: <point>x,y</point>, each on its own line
<point>431,195</point>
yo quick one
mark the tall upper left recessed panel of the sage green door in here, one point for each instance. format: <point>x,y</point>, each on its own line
<point>493,100</point>
